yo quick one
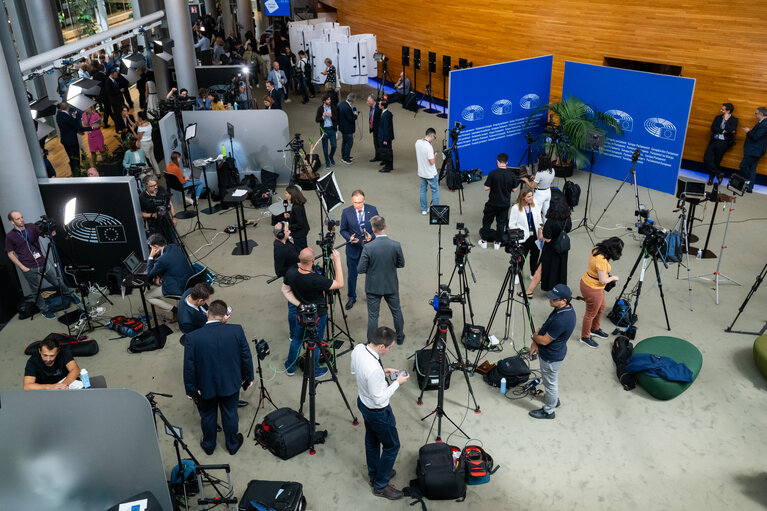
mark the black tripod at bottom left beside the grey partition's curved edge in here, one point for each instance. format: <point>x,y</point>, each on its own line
<point>225,495</point>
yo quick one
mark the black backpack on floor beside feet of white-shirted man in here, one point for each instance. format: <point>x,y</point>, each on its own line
<point>440,476</point>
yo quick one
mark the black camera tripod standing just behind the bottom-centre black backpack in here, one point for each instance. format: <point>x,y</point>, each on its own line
<point>438,348</point>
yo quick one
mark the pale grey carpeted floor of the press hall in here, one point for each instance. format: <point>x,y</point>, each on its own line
<point>607,448</point>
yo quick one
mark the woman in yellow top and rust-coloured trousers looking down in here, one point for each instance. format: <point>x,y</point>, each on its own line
<point>593,284</point>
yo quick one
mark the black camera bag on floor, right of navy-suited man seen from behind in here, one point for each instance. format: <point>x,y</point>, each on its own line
<point>286,433</point>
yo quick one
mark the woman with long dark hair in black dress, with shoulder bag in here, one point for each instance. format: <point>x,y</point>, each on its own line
<point>553,267</point>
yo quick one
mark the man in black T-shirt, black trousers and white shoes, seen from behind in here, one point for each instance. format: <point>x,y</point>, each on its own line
<point>501,183</point>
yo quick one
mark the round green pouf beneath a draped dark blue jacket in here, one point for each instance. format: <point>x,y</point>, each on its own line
<point>679,351</point>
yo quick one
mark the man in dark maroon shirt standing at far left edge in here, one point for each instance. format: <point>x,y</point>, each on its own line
<point>22,243</point>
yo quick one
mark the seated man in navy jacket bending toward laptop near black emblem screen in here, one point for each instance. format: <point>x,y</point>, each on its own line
<point>168,266</point>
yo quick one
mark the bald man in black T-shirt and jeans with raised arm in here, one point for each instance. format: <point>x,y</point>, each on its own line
<point>303,286</point>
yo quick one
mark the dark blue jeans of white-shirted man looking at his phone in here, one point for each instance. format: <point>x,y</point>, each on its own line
<point>380,432</point>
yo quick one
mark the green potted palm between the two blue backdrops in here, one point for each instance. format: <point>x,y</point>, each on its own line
<point>567,136</point>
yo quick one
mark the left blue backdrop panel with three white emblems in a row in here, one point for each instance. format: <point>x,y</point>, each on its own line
<point>494,102</point>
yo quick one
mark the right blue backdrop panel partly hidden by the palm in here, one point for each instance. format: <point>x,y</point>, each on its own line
<point>653,110</point>
